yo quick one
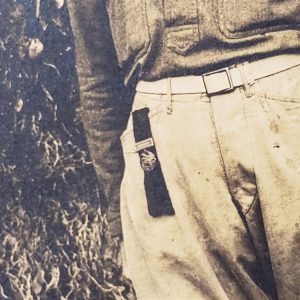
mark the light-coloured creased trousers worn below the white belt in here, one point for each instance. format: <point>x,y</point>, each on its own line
<point>231,163</point>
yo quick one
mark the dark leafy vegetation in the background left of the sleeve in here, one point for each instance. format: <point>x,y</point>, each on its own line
<point>54,242</point>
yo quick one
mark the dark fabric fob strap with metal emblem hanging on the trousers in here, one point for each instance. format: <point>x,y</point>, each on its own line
<point>158,198</point>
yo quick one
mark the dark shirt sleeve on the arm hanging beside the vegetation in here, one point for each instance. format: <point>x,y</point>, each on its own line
<point>102,98</point>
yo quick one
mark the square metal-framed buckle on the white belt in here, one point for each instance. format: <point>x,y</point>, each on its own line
<point>217,82</point>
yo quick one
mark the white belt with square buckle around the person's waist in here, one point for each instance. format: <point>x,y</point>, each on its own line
<point>222,80</point>
